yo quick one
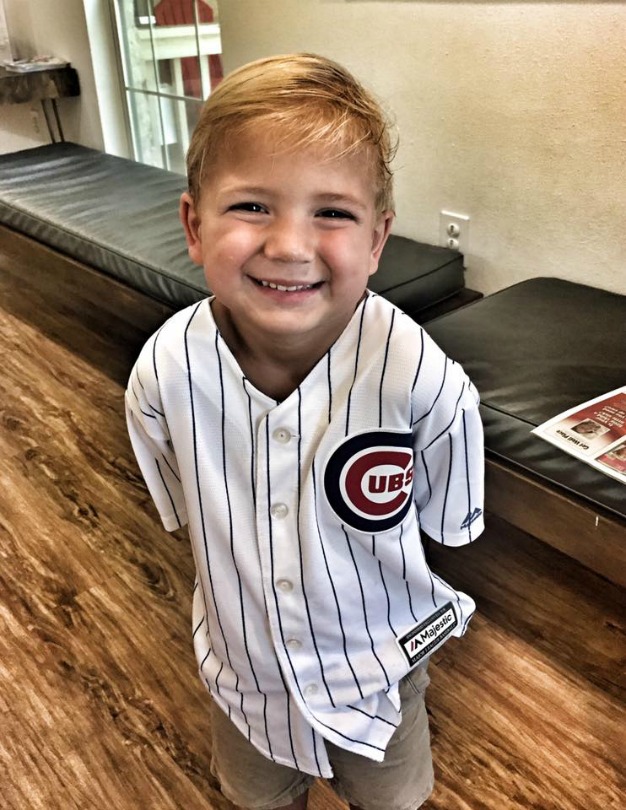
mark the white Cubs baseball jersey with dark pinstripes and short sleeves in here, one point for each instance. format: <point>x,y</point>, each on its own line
<point>313,597</point>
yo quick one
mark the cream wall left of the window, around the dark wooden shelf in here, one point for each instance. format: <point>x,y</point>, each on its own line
<point>59,28</point>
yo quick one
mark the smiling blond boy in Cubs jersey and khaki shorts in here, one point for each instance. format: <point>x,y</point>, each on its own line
<point>305,429</point>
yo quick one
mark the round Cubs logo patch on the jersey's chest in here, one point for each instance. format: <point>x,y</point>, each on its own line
<point>368,480</point>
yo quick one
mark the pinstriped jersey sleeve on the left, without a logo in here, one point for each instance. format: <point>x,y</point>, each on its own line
<point>150,439</point>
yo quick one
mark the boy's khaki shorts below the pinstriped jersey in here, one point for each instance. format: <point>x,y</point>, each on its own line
<point>403,781</point>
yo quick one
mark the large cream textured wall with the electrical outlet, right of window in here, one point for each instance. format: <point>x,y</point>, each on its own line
<point>513,113</point>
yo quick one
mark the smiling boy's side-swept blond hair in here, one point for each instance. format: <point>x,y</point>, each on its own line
<point>307,100</point>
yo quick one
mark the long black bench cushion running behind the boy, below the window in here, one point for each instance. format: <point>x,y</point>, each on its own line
<point>121,217</point>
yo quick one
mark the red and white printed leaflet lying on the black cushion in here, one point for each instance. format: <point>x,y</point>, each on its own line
<point>594,432</point>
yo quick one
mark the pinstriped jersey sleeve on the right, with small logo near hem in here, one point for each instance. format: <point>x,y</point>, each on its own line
<point>449,452</point>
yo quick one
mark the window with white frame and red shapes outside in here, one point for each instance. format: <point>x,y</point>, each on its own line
<point>171,61</point>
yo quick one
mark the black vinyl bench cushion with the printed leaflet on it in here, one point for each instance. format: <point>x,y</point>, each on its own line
<point>534,350</point>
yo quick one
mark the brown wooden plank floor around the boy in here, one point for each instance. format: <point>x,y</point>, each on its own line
<point>100,706</point>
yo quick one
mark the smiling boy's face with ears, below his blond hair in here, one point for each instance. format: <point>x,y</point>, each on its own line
<point>287,241</point>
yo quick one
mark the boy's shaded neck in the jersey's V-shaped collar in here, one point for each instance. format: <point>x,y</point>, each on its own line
<point>274,365</point>
